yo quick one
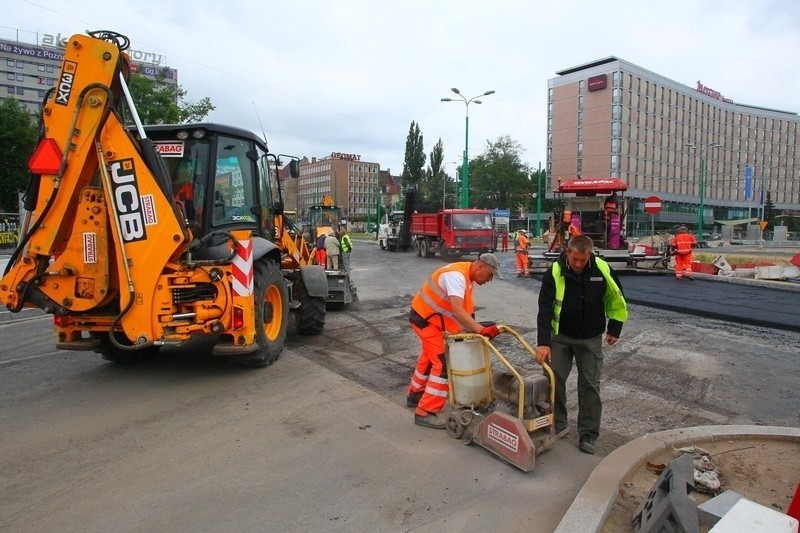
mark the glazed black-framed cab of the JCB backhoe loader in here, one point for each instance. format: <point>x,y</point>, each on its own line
<point>221,177</point>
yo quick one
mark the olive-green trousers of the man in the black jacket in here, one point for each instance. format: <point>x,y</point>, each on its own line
<point>588,355</point>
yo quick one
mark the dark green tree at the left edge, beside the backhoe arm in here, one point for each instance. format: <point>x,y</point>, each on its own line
<point>18,137</point>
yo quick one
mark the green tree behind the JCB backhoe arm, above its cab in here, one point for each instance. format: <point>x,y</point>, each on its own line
<point>158,102</point>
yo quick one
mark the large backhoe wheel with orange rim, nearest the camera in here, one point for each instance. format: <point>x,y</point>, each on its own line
<point>272,309</point>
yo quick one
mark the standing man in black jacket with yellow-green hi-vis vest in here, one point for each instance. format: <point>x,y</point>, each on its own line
<point>580,299</point>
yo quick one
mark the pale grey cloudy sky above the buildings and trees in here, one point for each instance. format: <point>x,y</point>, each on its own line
<point>350,75</point>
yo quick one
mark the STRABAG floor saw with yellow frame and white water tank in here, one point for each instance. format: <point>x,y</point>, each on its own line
<point>497,408</point>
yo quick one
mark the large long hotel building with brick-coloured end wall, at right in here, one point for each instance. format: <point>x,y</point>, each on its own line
<point>613,118</point>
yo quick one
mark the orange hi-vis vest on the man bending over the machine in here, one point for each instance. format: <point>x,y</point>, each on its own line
<point>432,300</point>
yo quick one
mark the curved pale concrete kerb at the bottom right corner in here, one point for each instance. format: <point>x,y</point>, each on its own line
<point>591,508</point>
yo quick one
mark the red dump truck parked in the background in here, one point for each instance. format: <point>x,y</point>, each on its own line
<point>452,232</point>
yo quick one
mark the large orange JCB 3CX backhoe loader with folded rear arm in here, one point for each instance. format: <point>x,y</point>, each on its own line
<point>147,237</point>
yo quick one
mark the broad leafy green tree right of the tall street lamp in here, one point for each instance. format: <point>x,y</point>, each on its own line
<point>500,179</point>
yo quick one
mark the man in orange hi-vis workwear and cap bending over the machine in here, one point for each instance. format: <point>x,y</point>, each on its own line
<point>444,304</point>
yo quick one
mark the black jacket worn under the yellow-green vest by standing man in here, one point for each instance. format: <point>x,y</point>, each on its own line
<point>583,314</point>
